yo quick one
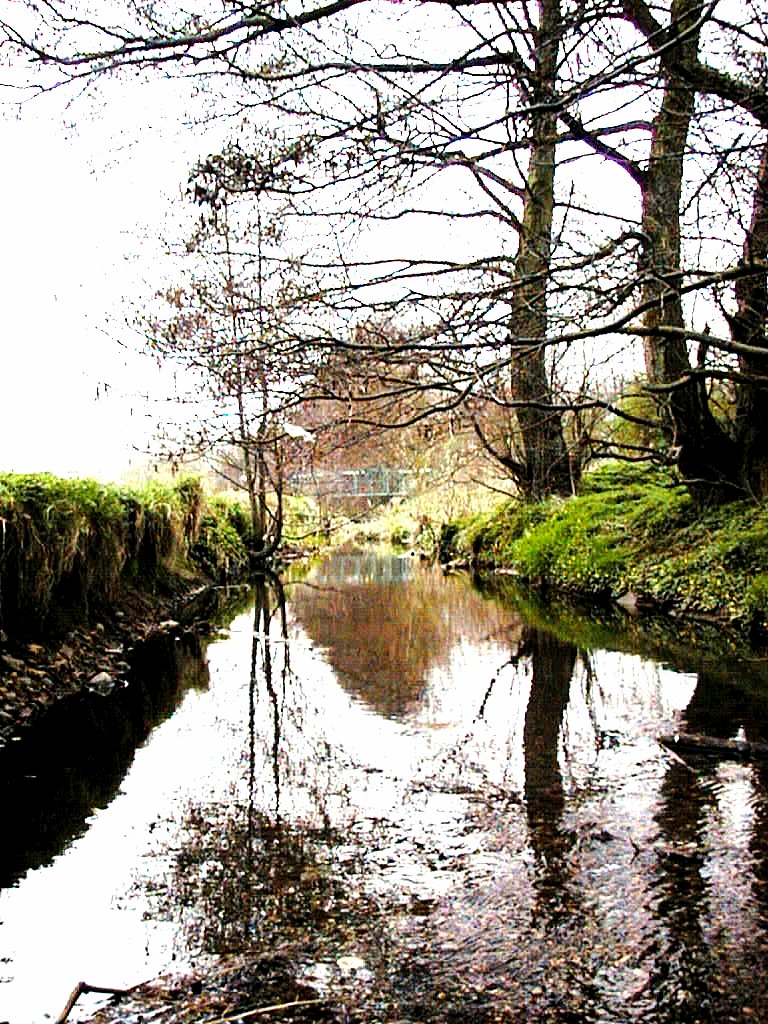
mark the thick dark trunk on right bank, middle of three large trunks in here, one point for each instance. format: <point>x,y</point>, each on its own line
<point>707,456</point>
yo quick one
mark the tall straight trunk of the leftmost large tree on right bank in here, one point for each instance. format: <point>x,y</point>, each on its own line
<point>545,456</point>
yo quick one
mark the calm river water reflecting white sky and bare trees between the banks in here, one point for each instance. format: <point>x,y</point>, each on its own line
<point>438,801</point>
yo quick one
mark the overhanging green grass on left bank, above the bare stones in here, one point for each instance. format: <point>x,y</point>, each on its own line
<point>70,549</point>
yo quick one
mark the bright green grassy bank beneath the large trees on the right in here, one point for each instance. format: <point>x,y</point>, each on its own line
<point>632,531</point>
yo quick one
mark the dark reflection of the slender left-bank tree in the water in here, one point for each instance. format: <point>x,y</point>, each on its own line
<point>248,878</point>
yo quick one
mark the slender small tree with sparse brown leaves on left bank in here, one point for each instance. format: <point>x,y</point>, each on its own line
<point>230,325</point>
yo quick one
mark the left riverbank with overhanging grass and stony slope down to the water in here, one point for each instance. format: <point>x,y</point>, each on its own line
<point>89,572</point>
